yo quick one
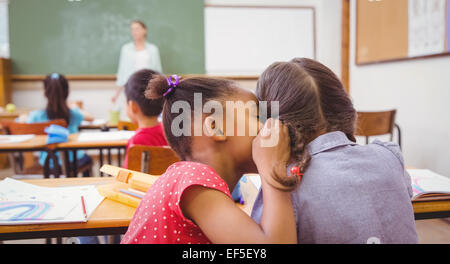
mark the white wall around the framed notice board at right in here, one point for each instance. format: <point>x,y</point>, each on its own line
<point>420,91</point>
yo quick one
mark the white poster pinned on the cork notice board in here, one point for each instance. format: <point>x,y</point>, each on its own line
<point>427,27</point>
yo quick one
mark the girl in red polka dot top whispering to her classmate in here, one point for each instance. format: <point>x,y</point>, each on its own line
<point>191,202</point>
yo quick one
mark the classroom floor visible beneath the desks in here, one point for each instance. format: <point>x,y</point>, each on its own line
<point>434,231</point>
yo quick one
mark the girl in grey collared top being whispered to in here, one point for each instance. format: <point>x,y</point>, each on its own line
<point>348,193</point>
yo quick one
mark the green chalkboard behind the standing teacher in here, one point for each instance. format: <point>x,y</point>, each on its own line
<point>78,37</point>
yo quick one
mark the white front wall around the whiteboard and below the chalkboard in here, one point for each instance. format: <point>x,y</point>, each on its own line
<point>96,94</point>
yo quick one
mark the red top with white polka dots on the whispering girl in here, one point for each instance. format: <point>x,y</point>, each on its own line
<point>158,218</point>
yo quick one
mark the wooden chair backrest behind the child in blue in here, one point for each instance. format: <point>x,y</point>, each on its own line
<point>14,128</point>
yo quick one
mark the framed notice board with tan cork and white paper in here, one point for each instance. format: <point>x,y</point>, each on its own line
<point>390,30</point>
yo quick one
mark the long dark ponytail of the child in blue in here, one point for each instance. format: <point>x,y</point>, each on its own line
<point>56,90</point>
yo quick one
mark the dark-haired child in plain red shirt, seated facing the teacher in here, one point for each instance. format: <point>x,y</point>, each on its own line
<point>143,112</point>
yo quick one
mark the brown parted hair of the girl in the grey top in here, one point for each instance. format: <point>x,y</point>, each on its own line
<point>312,101</point>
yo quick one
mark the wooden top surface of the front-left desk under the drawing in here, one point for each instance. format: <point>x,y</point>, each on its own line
<point>108,214</point>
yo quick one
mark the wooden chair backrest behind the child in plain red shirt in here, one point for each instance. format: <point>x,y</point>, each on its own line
<point>150,159</point>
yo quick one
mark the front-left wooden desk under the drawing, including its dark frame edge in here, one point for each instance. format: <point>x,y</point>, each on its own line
<point>109,218</point>
